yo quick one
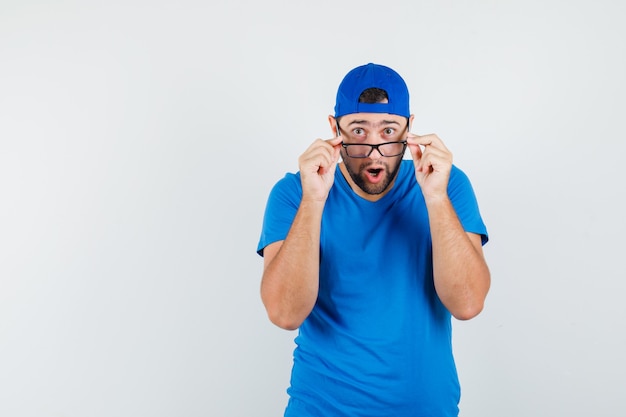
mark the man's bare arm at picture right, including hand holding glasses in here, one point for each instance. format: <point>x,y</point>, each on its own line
<point>461,275</point>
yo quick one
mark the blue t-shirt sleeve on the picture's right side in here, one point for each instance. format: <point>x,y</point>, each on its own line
<point>464,201</point>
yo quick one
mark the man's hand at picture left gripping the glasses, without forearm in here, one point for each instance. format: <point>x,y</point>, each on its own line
<point>317,168</point>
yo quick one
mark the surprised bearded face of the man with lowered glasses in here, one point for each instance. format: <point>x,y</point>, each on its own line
<point>372,172</point>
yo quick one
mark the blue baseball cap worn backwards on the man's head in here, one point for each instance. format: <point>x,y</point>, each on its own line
<point>372,76</point>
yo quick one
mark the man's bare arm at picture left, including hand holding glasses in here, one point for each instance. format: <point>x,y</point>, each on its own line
<point>290,280</point>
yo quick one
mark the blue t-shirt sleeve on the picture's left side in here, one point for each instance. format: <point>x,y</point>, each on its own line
<point>281,208</point>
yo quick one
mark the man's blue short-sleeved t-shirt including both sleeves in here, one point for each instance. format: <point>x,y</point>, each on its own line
<point>378,341</point>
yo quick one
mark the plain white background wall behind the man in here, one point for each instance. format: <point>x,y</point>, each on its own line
<point>139,141</point>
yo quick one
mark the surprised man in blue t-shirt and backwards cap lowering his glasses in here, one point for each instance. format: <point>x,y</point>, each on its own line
<point>369,255</point>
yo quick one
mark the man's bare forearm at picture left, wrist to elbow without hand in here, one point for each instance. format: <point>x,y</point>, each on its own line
<point>290,282</point>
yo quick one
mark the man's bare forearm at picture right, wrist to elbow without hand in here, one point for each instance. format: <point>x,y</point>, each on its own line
<point>461,275</point>
